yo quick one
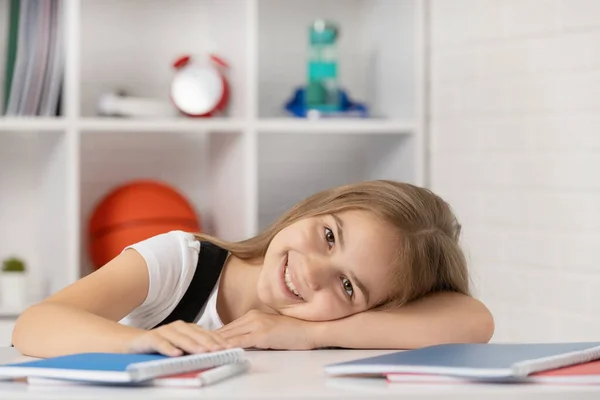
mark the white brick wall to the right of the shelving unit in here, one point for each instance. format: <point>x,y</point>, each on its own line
<point>515,148</point>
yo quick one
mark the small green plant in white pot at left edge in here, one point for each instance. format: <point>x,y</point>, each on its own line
<point>13,285</point>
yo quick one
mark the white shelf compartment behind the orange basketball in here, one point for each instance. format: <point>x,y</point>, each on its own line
<point>207,169</point>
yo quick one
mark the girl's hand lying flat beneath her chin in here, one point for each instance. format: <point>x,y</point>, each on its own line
<point>269,331</point>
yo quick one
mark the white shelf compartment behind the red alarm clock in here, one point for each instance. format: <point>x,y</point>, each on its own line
<point>132,45</point>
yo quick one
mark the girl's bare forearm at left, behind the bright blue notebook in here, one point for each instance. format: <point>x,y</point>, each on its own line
<point>51,329</point>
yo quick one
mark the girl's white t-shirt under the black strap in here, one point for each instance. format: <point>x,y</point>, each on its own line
<point>171,259</point>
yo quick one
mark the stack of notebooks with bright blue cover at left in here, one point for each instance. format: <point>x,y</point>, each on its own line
<point>193,370</point>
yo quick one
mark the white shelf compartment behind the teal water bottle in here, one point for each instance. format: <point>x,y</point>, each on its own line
<point>377,49</point>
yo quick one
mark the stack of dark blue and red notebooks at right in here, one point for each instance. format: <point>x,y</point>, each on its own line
<point>493,362</point>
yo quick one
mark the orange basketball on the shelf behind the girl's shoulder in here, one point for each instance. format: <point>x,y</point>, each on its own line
<point>134,212</point>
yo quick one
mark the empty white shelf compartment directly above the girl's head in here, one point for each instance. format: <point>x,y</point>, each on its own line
<point>293,166</point>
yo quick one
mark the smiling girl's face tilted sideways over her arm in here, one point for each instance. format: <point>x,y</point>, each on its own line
<point>329,266</point>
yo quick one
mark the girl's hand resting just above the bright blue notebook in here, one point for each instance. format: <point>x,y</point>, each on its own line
<point>177,338</point>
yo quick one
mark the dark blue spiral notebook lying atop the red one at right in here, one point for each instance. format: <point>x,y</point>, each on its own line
<point>483,361</point>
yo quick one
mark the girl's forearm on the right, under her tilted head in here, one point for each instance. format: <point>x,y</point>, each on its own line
<point>441,318</point>
